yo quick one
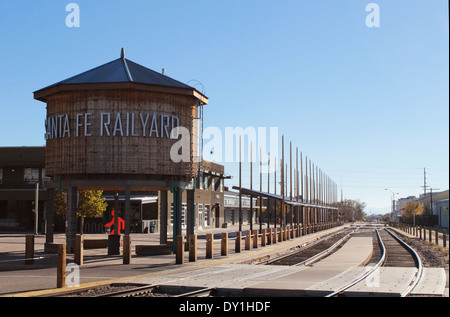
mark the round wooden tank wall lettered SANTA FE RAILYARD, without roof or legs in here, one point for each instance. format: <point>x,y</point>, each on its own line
<point>117,132</point>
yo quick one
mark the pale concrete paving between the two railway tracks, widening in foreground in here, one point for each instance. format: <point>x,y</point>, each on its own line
<point>267,280</point>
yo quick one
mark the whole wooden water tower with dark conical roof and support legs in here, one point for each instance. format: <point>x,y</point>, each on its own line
<point>118,127</point>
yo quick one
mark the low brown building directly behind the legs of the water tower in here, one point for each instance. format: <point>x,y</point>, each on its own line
<point>23,168</point>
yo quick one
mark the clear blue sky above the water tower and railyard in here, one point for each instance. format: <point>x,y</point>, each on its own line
<point>369,106</point>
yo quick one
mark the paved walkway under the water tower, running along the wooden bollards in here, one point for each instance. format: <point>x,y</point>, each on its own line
<point>98,267</point>
